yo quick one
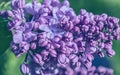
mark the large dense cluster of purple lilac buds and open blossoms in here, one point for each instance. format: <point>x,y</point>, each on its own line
<point>57,41</point>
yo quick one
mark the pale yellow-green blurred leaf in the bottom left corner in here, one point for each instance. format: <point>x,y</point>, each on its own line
<point>9,64</point>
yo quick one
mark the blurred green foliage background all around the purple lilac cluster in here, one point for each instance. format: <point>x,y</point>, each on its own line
<point>9,64</point>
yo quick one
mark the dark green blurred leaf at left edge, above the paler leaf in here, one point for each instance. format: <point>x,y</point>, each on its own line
<point>5,36</point>
